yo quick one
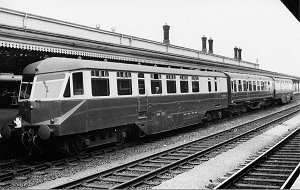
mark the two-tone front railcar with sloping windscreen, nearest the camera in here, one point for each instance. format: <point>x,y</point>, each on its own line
<point>72,104</point>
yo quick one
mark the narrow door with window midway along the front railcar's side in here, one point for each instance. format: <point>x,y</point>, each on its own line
<point>142,98</point>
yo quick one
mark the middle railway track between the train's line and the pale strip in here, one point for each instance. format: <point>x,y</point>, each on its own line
<point>152,170</point>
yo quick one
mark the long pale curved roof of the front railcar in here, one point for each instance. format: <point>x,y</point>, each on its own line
<point>58,64</point>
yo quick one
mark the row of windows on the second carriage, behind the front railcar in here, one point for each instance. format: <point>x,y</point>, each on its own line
<point>243,85</point>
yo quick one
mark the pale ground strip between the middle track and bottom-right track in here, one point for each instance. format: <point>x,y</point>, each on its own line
<point>209,173</point>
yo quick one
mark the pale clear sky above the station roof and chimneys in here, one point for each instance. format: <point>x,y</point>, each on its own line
<point>265,30</point>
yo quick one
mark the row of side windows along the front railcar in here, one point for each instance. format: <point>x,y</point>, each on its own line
<point>101,87</point>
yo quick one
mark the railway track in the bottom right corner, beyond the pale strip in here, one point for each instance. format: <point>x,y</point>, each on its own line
<point>277,168</point>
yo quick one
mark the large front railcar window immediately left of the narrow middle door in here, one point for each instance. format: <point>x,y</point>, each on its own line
<point>124,83</point>
